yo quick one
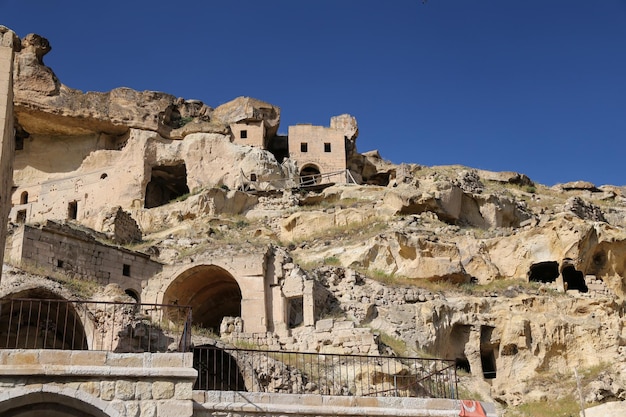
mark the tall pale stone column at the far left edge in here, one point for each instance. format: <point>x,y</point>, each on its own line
<point>8,42</point>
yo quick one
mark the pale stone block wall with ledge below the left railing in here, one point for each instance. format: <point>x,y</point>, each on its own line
<point>111,384</point>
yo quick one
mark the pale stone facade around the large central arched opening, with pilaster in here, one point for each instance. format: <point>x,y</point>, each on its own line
<point>258,287</point>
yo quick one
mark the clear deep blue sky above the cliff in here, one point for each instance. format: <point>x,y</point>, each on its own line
<point>533,86</point>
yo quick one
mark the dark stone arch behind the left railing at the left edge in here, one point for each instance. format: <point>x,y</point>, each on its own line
<point>38,318</point>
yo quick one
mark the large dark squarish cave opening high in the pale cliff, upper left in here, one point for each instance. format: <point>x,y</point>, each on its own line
<point>167,183</point>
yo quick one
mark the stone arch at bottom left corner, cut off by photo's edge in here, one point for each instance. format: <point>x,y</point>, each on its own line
<point>52,402</point>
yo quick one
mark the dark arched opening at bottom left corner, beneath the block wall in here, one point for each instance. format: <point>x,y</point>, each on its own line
<point>49,404</point>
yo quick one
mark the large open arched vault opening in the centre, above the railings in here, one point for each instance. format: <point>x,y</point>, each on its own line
<point>211,292</point>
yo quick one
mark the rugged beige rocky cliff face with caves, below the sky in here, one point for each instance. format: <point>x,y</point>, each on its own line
<point>510,278</point>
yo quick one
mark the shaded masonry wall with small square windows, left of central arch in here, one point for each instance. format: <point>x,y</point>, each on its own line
<point>55,247</point>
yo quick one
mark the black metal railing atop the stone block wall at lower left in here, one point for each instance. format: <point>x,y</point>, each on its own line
<point>94,325</point>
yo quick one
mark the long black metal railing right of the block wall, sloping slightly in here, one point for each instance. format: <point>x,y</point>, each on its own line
<point>231,369</point>
